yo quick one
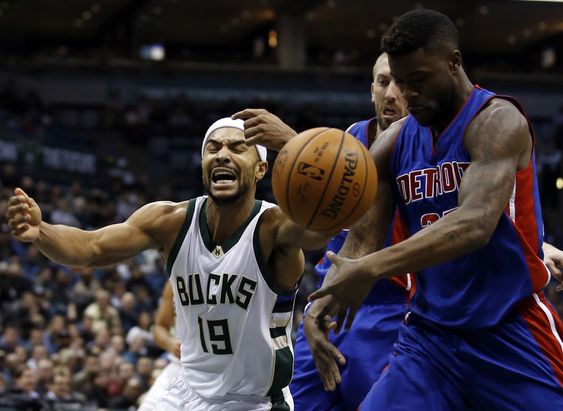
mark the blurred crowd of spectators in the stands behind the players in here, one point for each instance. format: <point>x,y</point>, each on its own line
<point>81,338</point>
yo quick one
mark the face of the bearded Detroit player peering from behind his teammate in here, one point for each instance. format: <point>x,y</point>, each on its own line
<point>386,96</point>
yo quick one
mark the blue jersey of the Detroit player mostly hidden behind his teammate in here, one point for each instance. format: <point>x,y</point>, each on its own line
<point>397,287</point>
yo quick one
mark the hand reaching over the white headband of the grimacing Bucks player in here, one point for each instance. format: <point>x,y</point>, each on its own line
<point>264,128</point>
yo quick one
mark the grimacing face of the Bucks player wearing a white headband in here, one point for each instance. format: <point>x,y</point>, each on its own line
<point>230,167</point>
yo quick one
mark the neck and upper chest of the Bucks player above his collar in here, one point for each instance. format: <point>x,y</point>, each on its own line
<point>223,220</point>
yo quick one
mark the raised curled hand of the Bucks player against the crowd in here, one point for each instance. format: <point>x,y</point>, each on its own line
<point>24,217</point>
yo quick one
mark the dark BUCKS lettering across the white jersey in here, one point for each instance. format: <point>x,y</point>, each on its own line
<point>220,289</point>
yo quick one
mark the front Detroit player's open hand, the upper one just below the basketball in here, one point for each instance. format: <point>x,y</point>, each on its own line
<point>345,294</point>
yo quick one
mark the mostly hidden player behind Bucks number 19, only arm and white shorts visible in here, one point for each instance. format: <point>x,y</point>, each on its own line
<point>164,338</point>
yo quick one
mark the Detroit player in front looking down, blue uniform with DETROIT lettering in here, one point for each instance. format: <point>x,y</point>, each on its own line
<point>460,169</point>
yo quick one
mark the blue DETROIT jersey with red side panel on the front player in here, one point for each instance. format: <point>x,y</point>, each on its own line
<point>478,289</point>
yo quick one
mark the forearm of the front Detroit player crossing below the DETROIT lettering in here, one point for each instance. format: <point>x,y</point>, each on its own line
<point>453,236</point>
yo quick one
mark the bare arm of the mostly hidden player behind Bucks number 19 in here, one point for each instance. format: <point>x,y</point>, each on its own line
<point>165,319</point>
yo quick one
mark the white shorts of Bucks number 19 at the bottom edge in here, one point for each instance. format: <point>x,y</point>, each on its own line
<point>180,396</point>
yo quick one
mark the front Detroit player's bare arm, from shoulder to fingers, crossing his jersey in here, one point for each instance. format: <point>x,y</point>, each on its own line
<point>498,142</point>
